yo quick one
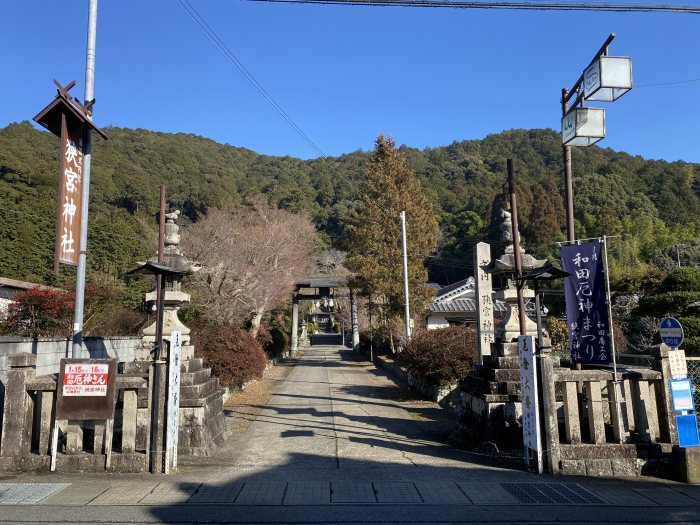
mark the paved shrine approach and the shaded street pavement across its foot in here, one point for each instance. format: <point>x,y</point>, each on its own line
<point>338,443</point>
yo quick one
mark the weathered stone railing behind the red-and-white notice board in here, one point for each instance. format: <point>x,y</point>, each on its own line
<point>30,403</point>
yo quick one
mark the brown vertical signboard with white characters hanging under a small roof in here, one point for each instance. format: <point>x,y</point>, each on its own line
<point>69,192</point>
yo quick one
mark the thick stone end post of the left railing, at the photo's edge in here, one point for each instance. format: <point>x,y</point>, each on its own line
<point>18,407</point>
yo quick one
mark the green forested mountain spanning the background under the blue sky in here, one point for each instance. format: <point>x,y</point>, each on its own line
<point>653,205</point>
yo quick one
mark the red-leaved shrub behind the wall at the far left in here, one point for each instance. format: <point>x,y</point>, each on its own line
<point>39,312</point>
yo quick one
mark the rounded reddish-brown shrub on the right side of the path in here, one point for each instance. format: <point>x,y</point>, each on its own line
<point>443,356</point>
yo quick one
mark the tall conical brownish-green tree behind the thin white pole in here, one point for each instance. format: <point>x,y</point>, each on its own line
<point>374,233</point>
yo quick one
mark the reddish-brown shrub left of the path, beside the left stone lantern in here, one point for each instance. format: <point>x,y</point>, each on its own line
<point>234,355</point>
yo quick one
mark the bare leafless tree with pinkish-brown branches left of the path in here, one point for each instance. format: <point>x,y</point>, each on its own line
<point>251,257</point>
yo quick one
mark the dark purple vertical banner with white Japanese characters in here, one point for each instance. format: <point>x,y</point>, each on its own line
<point>586,303</point>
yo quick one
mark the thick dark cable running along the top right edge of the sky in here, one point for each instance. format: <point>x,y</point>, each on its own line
<point>527,6</point>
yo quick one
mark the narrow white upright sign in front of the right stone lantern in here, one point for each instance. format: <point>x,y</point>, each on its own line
<point>528,394</point>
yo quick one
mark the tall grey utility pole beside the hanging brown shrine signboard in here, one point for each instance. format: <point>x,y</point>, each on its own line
<point>78,313</point>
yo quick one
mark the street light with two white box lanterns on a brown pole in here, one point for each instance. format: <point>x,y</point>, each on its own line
<point>605,79</point>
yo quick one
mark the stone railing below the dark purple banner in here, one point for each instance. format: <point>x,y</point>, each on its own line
<point>591,407</point>
